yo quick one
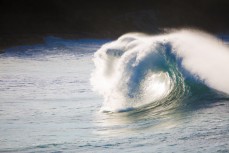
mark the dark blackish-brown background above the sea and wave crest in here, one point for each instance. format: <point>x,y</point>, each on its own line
<point>28,21</point>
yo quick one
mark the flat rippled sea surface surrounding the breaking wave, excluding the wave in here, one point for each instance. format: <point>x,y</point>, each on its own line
<point>47,105</point>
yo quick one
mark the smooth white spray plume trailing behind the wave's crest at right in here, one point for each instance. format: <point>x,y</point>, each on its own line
<point>204,56</point>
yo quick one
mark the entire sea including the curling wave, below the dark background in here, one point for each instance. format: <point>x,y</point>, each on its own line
<point>139,93</point>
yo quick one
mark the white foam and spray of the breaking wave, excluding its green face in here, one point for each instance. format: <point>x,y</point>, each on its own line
<point>119,65</point>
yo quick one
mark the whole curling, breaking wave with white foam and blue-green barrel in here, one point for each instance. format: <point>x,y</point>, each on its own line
<point>169,70</point>
